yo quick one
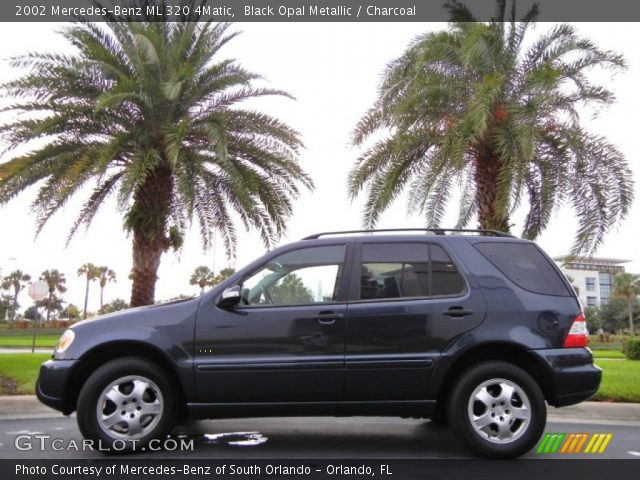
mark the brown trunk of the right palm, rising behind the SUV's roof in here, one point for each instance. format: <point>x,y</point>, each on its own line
<point>488,166</point>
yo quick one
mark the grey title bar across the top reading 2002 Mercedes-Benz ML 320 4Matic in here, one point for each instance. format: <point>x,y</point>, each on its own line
<point>307,11</point>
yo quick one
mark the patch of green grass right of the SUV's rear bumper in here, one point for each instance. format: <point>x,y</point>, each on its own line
<point>620,381</point>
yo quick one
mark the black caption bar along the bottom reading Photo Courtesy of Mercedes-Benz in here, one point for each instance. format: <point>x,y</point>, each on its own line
<point>315,469</point>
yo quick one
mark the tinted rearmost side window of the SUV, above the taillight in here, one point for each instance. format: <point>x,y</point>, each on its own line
<point>525,265</point>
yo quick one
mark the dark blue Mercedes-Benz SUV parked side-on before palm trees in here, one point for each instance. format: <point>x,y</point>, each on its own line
<point>477,329</point>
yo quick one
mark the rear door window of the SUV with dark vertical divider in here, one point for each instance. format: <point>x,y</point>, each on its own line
<point>396,270</point>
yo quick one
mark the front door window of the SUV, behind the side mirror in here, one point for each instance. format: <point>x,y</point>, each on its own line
<point>301,277</point>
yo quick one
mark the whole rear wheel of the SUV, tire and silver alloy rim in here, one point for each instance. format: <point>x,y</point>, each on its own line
<point>497,410</point>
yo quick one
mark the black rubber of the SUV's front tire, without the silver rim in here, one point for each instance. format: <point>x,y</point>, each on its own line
<point>103,376</point>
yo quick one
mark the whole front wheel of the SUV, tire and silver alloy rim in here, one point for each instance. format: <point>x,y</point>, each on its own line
<point>126,403</point>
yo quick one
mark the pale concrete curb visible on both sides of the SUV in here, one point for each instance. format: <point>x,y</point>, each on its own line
<point>15,407</point>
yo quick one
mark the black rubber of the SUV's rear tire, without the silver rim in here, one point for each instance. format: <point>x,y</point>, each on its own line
<point>460,423</point>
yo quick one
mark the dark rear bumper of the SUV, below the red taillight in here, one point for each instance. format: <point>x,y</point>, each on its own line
<point>574,378</point>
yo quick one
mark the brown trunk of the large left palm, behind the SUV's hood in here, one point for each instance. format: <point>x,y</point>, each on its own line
<point>152,203</point>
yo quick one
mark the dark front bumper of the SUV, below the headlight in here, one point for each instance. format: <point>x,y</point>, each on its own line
<point>53,383</point>
